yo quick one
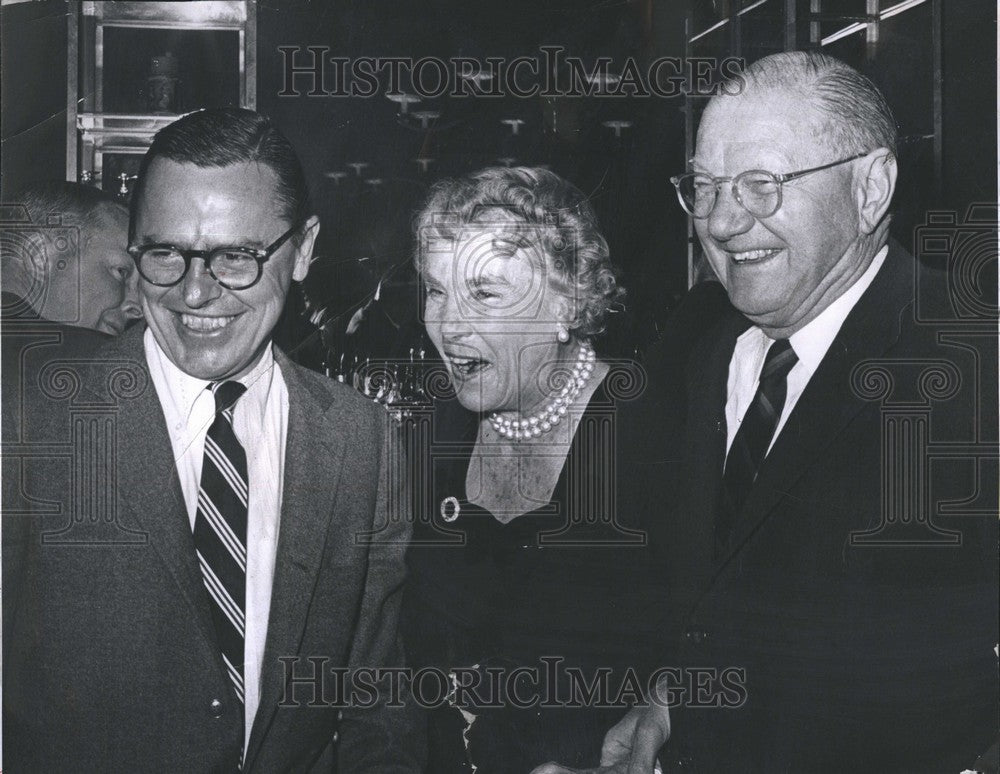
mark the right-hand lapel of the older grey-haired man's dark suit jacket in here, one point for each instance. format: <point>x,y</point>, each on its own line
<point>828,403</point>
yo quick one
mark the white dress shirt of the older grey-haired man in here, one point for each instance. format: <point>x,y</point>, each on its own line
<point>810,343</point>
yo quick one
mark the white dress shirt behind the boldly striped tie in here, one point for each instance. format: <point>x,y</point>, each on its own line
<point>260,421</point>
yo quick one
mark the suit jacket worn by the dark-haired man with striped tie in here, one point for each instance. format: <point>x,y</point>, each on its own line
<point>110,658</point>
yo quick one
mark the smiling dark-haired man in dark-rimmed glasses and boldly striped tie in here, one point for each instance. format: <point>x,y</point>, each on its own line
<point>201,636</point>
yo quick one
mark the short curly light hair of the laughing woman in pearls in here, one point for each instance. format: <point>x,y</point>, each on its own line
<point>553,208</point>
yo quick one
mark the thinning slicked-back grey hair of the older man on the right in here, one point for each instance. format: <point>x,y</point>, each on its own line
<point>860,119</point>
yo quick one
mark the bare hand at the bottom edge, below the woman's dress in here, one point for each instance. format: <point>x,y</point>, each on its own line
<point>630,747</point>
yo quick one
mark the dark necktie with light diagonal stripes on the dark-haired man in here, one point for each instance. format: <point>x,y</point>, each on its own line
<point>220,530</point>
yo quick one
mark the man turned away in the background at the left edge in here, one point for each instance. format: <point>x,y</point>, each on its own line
<point>68,283</point>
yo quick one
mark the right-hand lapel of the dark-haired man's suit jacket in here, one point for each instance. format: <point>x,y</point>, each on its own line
<point>314,451</point>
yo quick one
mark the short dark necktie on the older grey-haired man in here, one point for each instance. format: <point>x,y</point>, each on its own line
<point>754,436</point>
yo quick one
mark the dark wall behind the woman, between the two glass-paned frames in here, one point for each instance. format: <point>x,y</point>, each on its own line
<point>626,178</point>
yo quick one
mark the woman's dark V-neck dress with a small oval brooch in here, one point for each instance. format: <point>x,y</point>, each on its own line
<point>547,585</point>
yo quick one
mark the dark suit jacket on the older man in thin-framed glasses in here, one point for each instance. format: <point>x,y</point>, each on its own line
<point>865,646</point>
